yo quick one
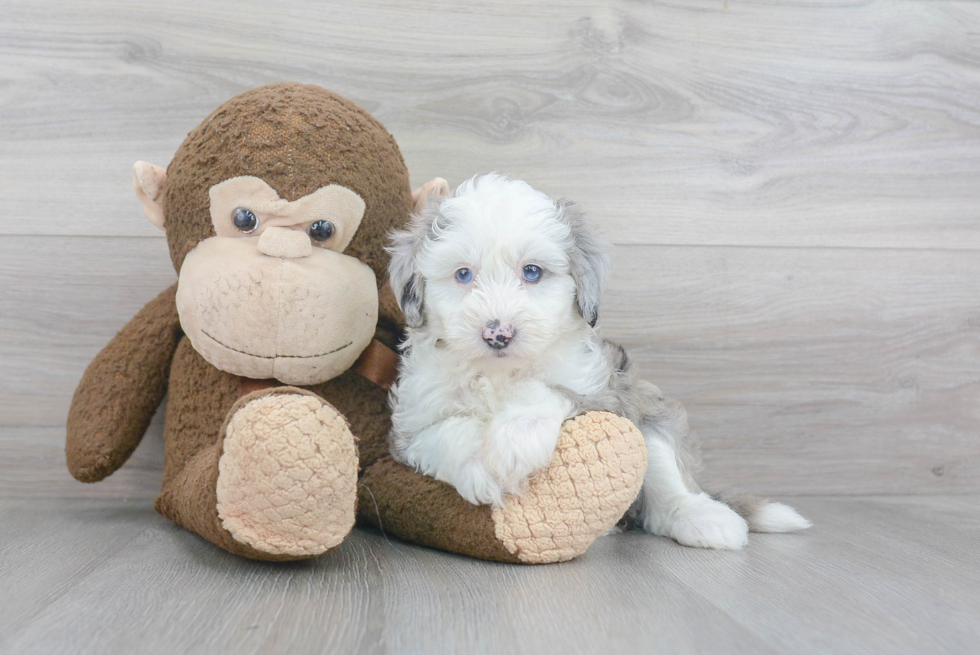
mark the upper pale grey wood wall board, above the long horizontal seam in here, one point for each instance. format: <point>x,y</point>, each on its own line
<point>836,123</point>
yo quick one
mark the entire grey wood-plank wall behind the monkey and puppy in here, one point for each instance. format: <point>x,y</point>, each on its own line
<point>793,191</point>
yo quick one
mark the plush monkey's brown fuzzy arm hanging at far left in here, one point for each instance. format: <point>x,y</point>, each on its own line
<point>121,389</point>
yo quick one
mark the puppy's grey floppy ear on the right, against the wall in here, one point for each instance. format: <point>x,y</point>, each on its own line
<point>589,262</point>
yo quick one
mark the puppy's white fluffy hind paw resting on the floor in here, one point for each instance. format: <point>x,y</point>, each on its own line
<point>705,523</point>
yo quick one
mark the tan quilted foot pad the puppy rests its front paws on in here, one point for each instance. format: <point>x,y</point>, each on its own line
<point>595,476</point>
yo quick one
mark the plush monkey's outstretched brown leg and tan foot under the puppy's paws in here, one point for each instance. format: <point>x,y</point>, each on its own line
<point>595,475</point>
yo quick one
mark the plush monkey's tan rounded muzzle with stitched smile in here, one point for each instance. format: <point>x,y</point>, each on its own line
<point>301,316</point>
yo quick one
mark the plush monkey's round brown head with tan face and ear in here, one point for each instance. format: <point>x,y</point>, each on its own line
<point>276,210</point>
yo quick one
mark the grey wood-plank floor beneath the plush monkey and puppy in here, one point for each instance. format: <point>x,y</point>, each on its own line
<point>874,575</point>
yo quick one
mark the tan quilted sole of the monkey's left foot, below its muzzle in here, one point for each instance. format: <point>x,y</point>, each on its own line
<point>287,477</point>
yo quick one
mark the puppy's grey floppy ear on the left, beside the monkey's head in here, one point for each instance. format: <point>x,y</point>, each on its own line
<point>403,270</point>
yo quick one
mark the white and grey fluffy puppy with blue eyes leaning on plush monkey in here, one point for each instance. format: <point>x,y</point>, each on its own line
<point>500,288</point>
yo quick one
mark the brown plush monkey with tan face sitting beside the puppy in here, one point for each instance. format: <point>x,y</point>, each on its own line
<point>276,348</point>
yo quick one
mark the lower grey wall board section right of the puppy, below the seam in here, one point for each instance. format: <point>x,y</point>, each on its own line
<point>813,370</point>
